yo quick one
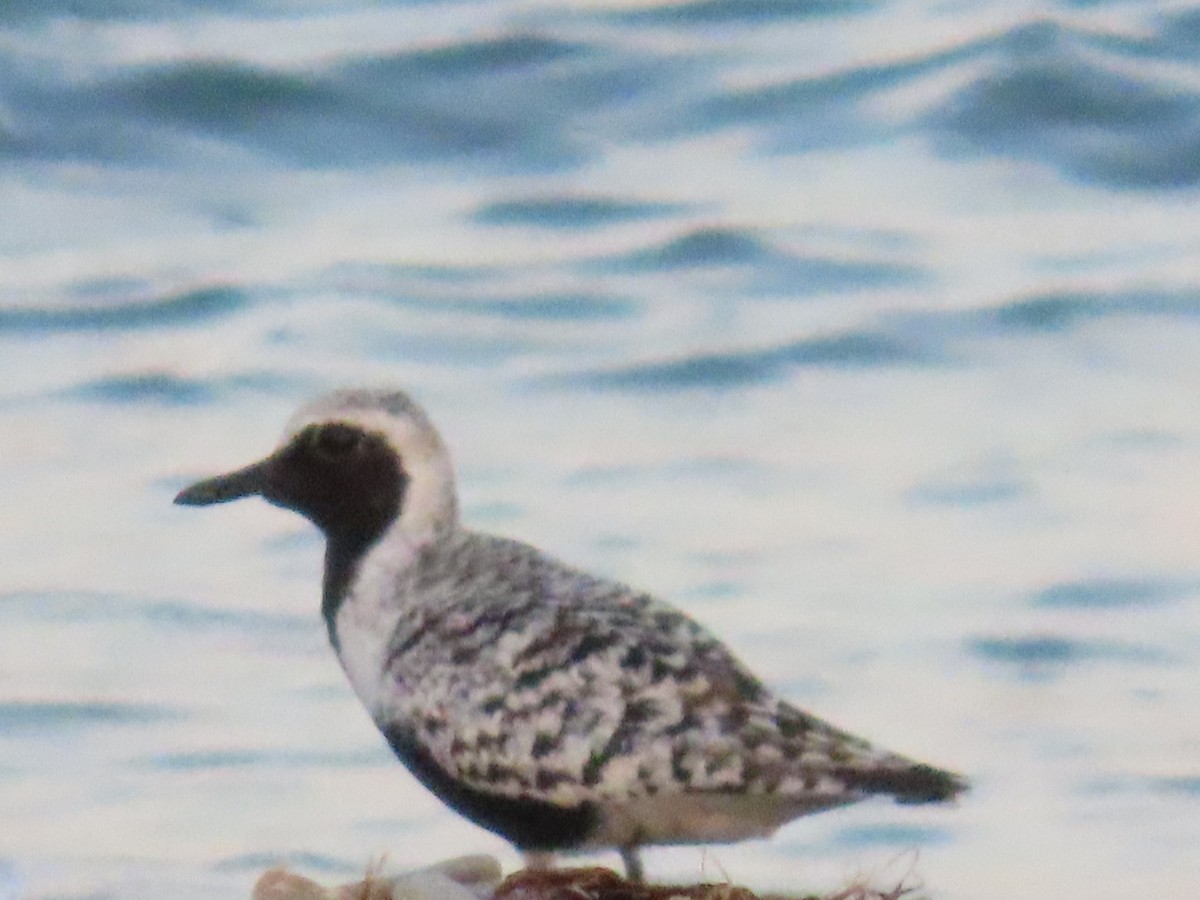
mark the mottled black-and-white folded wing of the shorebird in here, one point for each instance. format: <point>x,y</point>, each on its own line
<point>550,685</point>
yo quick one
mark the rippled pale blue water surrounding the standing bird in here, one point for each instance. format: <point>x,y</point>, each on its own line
<point>869,333</point>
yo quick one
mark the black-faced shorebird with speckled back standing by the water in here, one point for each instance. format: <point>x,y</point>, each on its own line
<point>560,710</point>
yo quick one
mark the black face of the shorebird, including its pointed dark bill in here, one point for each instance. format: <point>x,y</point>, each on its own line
<point>346,481</point>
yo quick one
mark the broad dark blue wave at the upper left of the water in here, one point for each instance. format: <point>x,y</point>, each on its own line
<point>513,99</point>
